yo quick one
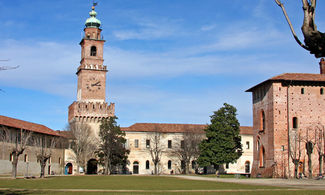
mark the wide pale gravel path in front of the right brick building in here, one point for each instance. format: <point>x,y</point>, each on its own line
<point>294,183</point>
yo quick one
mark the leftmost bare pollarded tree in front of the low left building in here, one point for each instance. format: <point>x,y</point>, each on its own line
<point>17,141</point>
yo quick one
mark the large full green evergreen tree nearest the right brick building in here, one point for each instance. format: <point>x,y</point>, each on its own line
<point>223,142</point>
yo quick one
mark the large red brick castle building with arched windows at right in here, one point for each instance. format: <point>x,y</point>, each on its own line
<point>288,112</point>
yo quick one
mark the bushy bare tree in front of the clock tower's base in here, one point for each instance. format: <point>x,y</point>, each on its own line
<point>83,143</point>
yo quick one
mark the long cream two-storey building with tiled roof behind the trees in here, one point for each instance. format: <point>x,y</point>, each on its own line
<point>139,140</point>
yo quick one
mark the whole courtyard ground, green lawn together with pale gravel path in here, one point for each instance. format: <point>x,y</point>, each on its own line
<point>157,185</point>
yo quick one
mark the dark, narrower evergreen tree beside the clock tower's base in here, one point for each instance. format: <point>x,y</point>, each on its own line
<point>112,151</point>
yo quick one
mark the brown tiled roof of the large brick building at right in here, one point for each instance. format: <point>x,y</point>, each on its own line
<point>294,77</point>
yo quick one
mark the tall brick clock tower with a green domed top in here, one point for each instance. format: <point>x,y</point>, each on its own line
<point>91,106</point>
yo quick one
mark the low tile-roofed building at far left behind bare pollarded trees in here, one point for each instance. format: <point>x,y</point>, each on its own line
<point>27,163</point>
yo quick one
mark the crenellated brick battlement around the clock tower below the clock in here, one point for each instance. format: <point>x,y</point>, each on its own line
<point>90,111</point>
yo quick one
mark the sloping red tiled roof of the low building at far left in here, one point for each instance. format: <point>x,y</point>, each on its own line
<point>20,124</point>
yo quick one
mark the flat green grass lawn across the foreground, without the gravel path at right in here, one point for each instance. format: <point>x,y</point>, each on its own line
<point>136,185</point>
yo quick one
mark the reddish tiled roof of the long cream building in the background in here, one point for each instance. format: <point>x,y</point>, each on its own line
<point>175,128</point>
